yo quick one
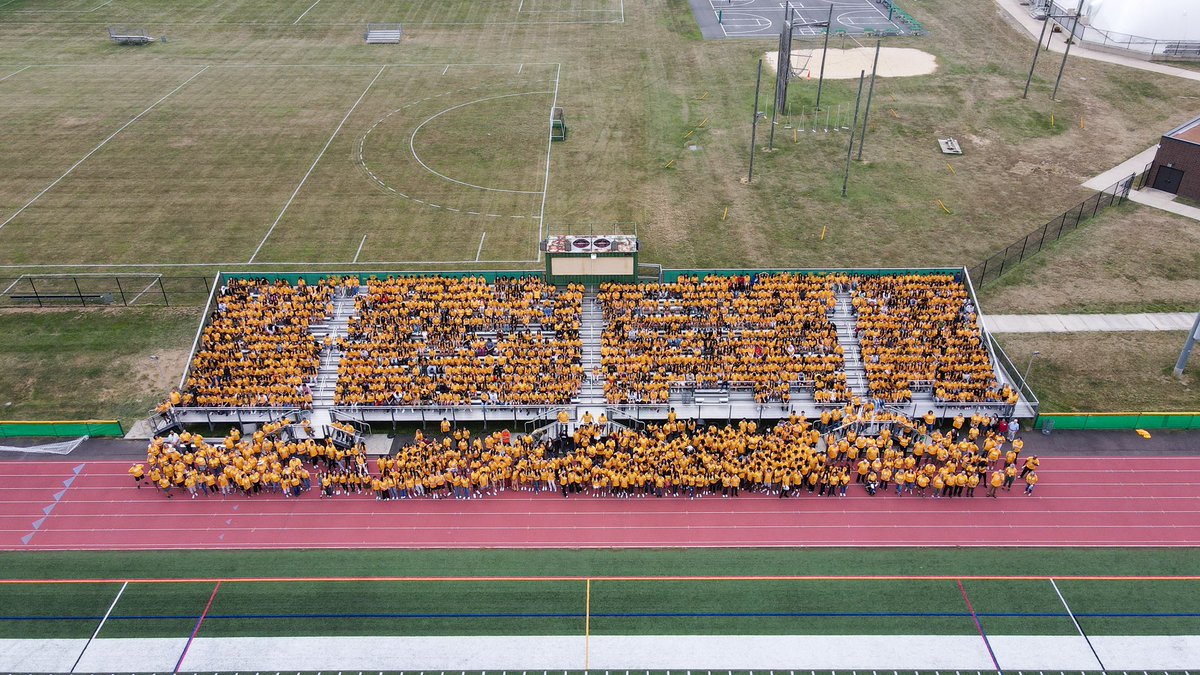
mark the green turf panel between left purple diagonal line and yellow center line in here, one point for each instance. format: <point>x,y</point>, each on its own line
<point>422,608</point>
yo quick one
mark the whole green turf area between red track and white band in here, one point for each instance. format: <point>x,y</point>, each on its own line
<point>155,606</point>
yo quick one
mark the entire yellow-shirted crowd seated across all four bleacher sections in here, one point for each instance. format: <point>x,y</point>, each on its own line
<point>461,341</point>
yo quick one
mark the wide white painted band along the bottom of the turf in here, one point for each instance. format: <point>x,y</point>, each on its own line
<point>542,654</point>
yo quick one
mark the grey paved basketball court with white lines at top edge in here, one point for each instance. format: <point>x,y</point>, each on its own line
<point>764,19</point>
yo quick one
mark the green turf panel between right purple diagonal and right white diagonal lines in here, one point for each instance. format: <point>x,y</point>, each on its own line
<point>1018,598</point>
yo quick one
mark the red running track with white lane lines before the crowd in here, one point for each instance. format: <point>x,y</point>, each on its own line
<point>1079,503</point>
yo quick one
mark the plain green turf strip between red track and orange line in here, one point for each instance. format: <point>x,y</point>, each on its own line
<point>650,563</point>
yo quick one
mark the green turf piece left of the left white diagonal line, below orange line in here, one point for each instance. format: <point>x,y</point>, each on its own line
<point>52,601</point>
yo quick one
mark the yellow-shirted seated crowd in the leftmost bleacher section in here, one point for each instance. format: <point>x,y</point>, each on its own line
<point>256,349</point>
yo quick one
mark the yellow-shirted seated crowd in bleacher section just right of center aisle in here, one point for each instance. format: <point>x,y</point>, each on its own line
<point>766,331</point>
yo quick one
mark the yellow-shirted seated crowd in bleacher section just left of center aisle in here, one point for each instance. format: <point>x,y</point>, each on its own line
<point>421,341</point>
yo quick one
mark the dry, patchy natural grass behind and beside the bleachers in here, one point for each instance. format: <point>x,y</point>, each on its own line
<point>268,134</point>
